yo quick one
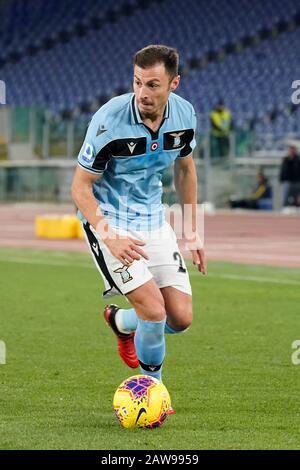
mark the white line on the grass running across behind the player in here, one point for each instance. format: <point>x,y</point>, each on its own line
<point>232,277</point>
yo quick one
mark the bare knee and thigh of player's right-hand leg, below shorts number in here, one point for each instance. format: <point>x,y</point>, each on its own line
<point>178,308</point>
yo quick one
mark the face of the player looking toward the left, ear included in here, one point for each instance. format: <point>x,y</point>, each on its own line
<point>152,87</point>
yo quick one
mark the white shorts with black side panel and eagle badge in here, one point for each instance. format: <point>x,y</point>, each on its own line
<point>165,265</point>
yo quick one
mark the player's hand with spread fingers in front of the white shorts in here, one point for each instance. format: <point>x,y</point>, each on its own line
<point>125,249</point>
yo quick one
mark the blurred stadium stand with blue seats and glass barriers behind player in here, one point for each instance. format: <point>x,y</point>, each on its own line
<point>62,60</point>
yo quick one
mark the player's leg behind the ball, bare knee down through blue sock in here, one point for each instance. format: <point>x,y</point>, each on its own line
<point>149,336</point>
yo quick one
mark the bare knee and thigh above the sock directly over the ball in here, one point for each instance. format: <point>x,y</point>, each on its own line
<point>148,301</point>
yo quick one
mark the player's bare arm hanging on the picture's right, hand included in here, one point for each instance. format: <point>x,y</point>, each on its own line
<point>185,179</point>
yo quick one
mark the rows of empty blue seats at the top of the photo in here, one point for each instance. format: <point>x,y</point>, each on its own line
<point>255,82</point>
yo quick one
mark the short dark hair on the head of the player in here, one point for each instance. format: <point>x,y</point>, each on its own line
<point>158,54</point>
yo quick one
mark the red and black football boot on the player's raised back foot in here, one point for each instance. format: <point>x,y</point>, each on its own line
<point>126,347</point>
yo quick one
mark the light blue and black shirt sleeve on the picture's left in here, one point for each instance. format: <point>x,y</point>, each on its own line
<point>95,154</point>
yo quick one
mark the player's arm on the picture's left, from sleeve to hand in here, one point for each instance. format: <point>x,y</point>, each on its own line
<point>89,170</point>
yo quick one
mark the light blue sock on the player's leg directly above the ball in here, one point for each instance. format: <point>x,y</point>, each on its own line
<point>150,346</point>
